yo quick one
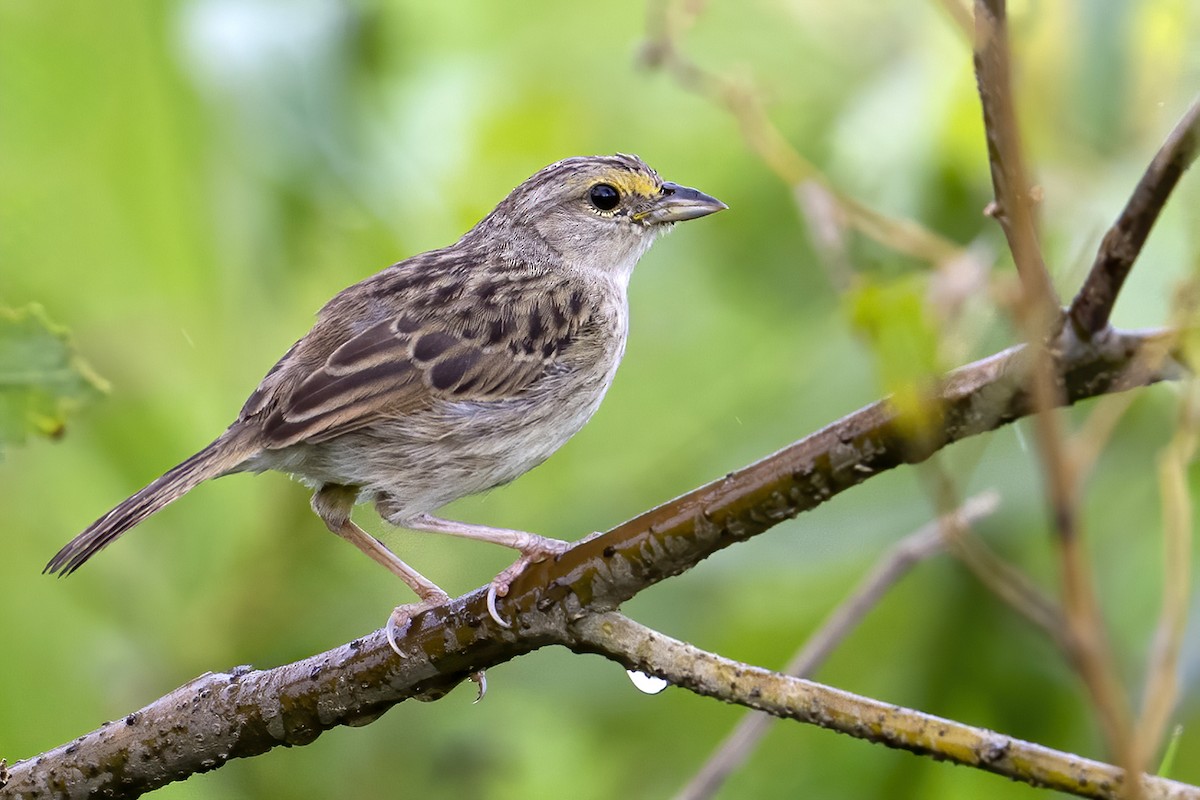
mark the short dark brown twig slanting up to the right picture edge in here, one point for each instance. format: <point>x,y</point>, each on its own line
<point>1093,308</point>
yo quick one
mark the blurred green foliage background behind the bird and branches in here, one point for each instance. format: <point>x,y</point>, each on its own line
<point>184,184</point>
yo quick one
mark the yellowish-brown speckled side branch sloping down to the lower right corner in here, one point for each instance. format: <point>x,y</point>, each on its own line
<point>705,673</point>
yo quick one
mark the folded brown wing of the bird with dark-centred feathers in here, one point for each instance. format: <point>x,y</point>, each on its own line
<point>405,363</point>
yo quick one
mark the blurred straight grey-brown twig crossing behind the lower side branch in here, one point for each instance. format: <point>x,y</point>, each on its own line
<point>889,572</point>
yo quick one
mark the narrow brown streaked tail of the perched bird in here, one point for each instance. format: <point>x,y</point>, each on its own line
<point>223,456</point>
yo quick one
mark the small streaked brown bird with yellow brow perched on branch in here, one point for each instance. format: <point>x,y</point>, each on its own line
<point>448,374</point>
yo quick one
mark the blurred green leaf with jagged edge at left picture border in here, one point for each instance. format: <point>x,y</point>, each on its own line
<point>43,378</point>
